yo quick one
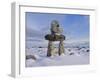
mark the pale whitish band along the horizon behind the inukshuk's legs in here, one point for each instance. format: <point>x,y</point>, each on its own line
<point>44,44</point>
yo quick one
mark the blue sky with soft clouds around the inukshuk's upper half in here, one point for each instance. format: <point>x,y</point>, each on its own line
<point>75,26</point>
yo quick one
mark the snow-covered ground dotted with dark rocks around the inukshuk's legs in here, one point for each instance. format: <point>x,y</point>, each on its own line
<point>73,56</point>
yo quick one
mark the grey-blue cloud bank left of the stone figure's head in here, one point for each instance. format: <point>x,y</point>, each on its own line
<point>36,35</point>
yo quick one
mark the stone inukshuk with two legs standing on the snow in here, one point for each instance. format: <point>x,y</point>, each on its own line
<point>56,35</point>
